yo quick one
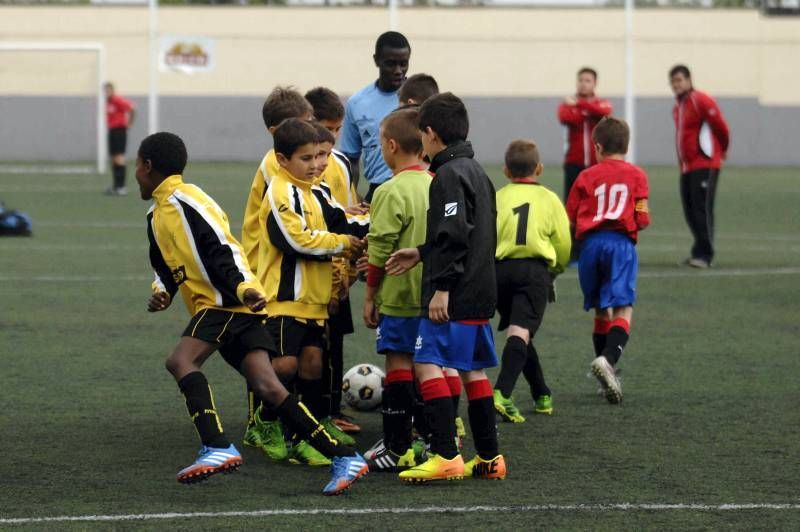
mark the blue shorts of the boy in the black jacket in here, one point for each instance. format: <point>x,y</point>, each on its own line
<point>455,345</point>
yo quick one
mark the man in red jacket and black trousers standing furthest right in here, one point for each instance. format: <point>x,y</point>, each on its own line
<point>701,140</point>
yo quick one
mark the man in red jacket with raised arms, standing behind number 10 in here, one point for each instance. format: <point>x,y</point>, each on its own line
<point>580,113</point>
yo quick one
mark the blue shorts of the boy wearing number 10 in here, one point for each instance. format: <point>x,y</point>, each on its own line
<point>607,270</point>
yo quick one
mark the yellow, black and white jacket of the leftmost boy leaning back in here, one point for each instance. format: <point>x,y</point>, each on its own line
<point>192,250</point>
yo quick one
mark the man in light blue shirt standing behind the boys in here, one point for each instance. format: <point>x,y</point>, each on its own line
<point>366,108</point>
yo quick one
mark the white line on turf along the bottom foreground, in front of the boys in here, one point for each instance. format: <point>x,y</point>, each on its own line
<point>623,507</point>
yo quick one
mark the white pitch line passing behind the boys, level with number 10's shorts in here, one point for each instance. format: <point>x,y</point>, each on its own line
<point>677,274</point>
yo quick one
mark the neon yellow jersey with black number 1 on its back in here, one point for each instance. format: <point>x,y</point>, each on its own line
<point>532,223</point>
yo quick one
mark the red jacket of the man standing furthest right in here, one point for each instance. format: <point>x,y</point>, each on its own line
<point>701,133</point>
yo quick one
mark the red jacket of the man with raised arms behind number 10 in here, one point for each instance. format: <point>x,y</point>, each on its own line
<point>580,120</point>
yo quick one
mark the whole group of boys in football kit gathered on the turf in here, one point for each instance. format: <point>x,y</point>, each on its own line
<point>277,305</point>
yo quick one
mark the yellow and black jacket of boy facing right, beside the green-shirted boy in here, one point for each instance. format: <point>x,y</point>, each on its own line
<point>296,245</point>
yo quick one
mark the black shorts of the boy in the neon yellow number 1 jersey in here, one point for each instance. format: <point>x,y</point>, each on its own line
<point>522,286</point>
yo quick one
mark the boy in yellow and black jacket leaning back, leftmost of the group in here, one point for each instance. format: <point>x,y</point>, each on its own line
<point>192,250</point>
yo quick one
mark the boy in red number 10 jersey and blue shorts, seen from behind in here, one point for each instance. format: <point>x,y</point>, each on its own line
<point>607,207</point>
